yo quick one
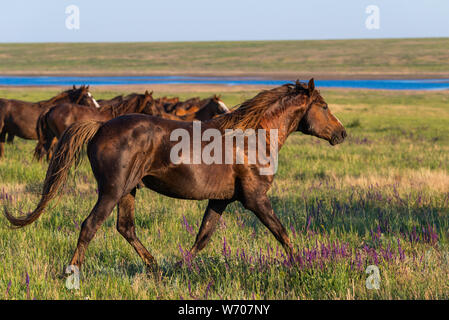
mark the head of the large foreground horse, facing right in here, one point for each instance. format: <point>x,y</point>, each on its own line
<point>319,121</point>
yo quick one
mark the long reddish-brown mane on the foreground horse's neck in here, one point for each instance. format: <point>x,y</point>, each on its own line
<point>250,113</point>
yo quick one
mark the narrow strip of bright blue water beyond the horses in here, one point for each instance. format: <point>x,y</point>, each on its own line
<point>418,84</point>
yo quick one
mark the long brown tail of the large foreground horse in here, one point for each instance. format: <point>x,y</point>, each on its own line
<point>67,153</point>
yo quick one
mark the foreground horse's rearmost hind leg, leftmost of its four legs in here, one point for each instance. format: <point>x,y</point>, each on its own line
<point>97,216</point>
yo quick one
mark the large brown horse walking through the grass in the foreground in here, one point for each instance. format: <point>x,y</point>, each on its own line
<point>133,148</point>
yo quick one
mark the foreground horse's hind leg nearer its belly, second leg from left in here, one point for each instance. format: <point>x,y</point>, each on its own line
<point>126,227</point>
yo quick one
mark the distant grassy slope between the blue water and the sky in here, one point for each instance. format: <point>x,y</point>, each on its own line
<point>324,58</point>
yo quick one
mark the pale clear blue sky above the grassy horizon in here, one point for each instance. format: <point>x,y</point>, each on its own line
<point>201,20</point>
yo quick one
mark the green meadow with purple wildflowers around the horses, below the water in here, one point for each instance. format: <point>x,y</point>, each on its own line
<point>381,198</point>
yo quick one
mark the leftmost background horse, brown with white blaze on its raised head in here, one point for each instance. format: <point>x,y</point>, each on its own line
<point>19,118</point>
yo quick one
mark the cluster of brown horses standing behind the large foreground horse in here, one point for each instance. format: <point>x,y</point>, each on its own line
<point>45,121</point>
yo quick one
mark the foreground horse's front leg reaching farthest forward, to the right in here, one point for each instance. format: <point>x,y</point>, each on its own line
<point>261,206</point>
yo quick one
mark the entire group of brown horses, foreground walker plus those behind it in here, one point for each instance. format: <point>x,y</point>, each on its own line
<point>128,146</point>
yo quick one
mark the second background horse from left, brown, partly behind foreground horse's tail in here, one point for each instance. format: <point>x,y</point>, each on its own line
<point>52,123</point>
